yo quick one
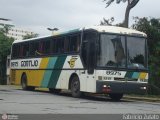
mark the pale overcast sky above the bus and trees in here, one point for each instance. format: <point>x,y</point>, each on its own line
<point>38,15</point>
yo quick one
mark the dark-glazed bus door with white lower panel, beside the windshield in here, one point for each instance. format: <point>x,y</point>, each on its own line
<point>88,58</point>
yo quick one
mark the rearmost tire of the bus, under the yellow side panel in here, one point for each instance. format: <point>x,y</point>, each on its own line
<point>24,83</point>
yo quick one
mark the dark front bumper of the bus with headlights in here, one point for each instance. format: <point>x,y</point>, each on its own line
<point>121,87</point>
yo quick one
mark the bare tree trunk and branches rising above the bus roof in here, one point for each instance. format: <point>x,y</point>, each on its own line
<point>130,5</point>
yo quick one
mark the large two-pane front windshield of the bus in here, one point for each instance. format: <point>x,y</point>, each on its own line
<point>120,51</point>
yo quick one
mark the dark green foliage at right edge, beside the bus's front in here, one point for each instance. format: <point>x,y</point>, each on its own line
<point>151,26</point>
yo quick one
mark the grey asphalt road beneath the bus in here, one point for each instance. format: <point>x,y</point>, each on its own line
<point>13,100</point>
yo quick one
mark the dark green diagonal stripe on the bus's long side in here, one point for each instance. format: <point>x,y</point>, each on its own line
<point>56,73</point>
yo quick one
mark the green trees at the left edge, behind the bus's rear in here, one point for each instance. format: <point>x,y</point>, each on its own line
<point>5,45</point>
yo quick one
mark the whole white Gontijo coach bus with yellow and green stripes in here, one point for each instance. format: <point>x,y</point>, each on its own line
<point>99,59</point>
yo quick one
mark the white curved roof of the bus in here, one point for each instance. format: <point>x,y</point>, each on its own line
<point>104,29</point>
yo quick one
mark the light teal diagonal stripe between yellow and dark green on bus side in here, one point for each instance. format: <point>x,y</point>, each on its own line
<point>48,73</point>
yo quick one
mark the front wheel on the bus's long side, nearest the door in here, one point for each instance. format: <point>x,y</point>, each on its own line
<point>75,87</point>
